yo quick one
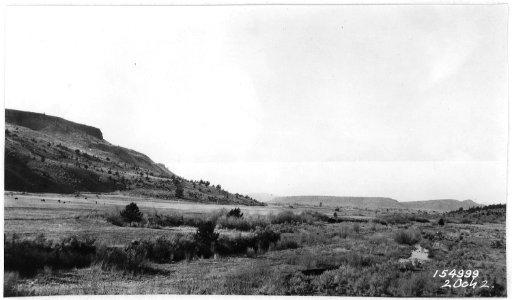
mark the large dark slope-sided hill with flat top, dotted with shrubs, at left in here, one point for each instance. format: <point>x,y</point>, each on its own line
<point>50,154</point>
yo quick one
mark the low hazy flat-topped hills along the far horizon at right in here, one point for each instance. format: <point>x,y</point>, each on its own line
<point>375,202</point>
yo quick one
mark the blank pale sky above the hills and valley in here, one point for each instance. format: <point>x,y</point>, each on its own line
<point>408,102</point>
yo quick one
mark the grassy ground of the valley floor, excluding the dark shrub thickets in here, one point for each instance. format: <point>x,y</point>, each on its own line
<point>361,256</point>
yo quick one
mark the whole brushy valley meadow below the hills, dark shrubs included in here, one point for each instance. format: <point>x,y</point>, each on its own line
<point>80,244</point>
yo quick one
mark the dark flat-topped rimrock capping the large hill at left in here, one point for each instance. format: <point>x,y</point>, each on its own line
<point>44,123</point>
